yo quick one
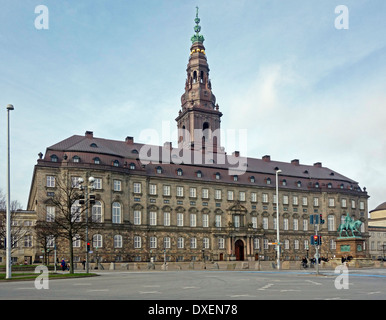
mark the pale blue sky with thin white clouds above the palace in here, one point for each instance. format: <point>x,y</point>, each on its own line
<point>279,69</point>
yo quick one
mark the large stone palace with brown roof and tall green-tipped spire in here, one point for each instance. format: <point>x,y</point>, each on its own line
<point>194,201</point>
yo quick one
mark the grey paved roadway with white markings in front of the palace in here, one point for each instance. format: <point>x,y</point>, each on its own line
<point>363,284</point>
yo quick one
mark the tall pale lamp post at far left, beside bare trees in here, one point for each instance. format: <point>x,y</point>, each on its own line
<point>8,213</point>
